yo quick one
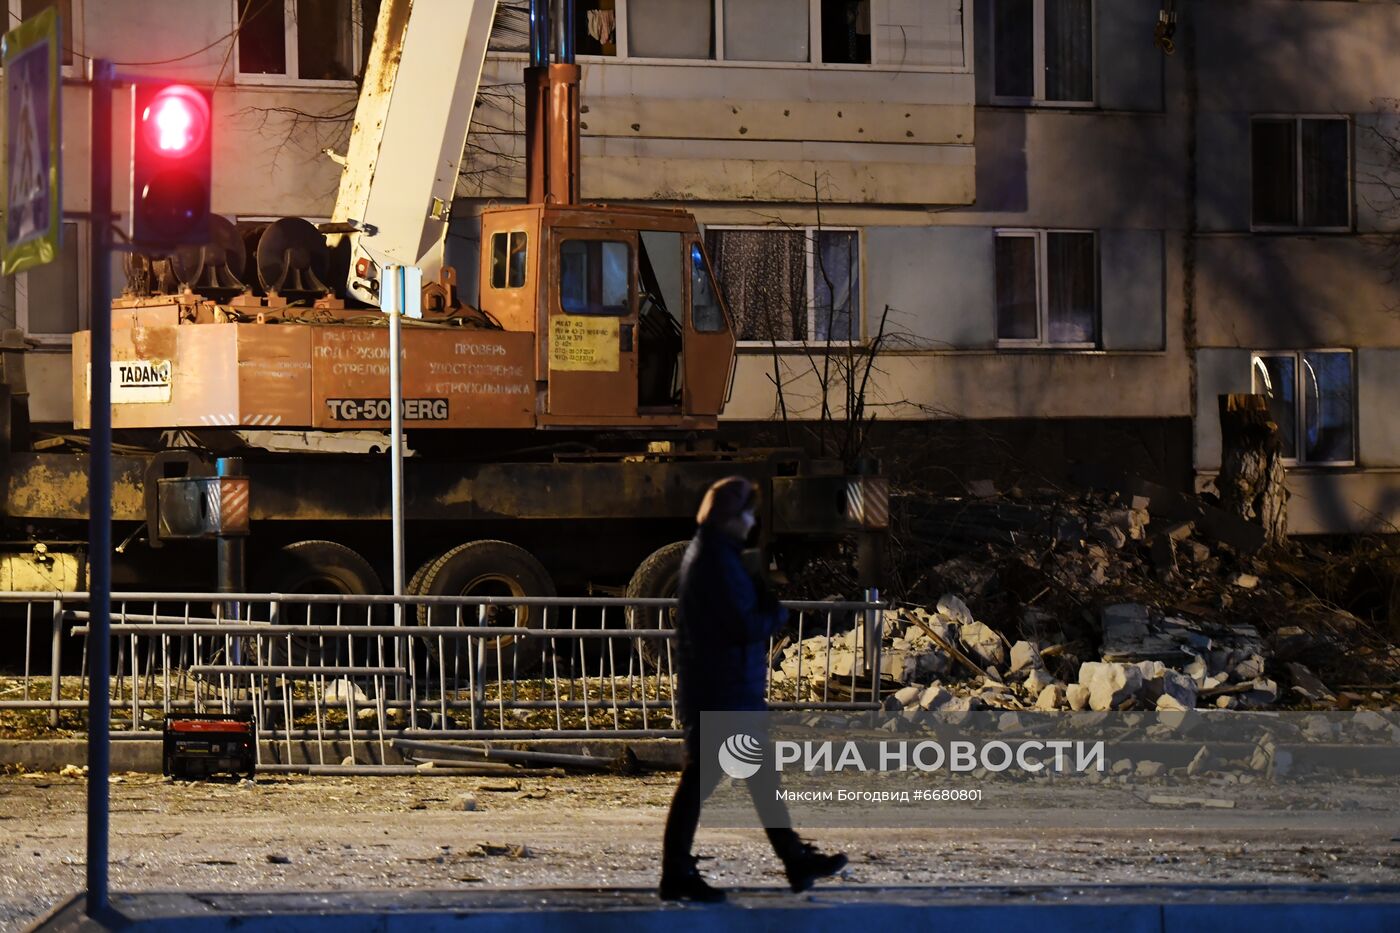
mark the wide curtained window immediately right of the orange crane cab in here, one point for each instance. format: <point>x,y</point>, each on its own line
<point>790,286</point>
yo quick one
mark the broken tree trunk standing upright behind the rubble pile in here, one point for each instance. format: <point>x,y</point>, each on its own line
<point>1252,466</point>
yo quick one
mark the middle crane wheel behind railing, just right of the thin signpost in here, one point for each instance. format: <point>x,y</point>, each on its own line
<point>485,569</point>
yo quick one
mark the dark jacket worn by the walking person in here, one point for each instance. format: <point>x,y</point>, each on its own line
<point>723,630</point>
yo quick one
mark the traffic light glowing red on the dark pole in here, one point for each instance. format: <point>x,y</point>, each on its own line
<point>171,146</point>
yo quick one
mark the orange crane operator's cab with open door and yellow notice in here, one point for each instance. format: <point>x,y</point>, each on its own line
<point>629,324</point>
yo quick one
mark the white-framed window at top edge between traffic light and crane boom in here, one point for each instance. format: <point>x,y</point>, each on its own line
<point>304,40</point>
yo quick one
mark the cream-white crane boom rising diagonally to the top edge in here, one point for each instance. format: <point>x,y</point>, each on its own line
<point>409,135</point>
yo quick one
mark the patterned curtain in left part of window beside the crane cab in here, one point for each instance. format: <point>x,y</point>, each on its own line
<point>764,278</point>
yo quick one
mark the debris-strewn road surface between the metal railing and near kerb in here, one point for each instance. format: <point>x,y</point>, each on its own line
<point>415,833</point>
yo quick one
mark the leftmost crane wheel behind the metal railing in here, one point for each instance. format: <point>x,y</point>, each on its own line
<point>317,568</point>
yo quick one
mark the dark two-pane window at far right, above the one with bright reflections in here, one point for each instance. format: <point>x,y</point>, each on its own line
<point>1301,173</point>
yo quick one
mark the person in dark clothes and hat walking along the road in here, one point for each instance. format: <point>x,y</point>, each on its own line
<point>723,630</point>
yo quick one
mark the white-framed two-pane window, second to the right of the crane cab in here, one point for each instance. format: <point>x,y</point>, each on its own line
<point>1048,288</point>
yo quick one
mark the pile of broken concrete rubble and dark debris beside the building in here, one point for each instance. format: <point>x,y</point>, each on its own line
<point>1102,602</point>
